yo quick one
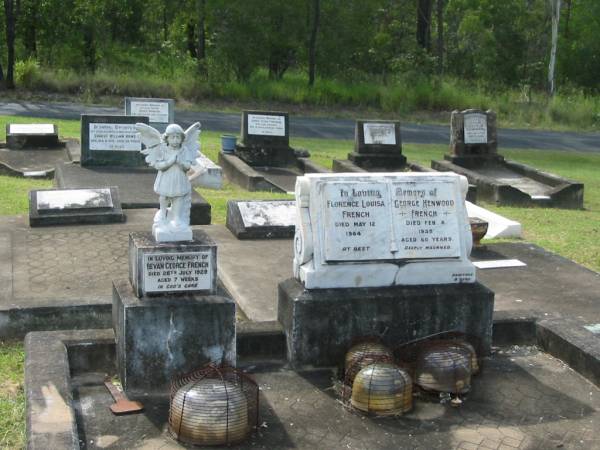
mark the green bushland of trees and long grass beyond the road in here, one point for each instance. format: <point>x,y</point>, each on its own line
<point>416,59</point>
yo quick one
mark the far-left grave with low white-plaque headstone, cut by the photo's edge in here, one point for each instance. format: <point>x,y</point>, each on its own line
<point>33,150</point>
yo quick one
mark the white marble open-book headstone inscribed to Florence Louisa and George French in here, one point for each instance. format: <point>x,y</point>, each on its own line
<point>382,229</point>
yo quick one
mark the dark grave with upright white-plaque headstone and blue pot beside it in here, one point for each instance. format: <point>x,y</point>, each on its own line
<point>264,160</point>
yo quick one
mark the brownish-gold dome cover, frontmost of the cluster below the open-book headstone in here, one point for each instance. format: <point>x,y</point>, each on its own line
<point>382,389</point>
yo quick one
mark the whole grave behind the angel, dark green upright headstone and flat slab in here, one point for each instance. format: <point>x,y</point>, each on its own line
<point>110,156</point>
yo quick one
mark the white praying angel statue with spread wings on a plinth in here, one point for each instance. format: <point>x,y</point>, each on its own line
<point>172,154</point>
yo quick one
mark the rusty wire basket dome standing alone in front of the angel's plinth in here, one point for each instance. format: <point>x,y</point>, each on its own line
<point>215,405</point>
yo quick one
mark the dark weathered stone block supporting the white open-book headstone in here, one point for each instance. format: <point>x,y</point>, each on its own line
<point>321,324</point>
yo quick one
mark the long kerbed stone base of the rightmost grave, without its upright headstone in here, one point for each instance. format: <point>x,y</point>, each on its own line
<point>506,182</point>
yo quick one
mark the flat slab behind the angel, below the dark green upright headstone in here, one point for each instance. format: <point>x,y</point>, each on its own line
<point>136,187</point>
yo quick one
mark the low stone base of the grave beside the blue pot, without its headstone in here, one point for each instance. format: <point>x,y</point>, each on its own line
<point>265,178</point>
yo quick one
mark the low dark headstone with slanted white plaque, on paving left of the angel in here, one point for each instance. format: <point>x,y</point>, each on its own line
<point>74,206</point>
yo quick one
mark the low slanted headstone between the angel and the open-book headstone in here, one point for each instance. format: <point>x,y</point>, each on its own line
<point>261,219</point>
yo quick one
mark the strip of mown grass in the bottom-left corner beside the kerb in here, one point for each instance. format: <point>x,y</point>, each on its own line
<point>12,397</point>
